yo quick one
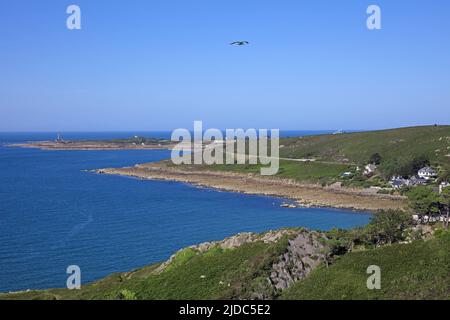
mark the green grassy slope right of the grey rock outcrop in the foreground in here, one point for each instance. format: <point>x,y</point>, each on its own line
<point>420,270</point>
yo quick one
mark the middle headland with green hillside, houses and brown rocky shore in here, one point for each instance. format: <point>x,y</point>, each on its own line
<point>334,173</point>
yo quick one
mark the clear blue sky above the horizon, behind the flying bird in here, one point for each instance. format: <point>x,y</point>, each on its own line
<point>161,64</point>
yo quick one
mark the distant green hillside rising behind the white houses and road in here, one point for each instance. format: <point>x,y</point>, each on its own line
<point>359,146</point>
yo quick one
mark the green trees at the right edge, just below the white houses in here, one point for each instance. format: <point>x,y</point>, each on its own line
<point>424,201</point>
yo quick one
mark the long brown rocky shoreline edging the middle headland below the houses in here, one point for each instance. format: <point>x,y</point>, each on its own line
<point>304,195</point>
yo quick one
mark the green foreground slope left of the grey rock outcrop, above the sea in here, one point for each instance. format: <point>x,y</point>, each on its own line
<point>215,274</point>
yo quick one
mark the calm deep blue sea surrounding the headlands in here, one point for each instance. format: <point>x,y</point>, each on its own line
<point>54,214</point>
